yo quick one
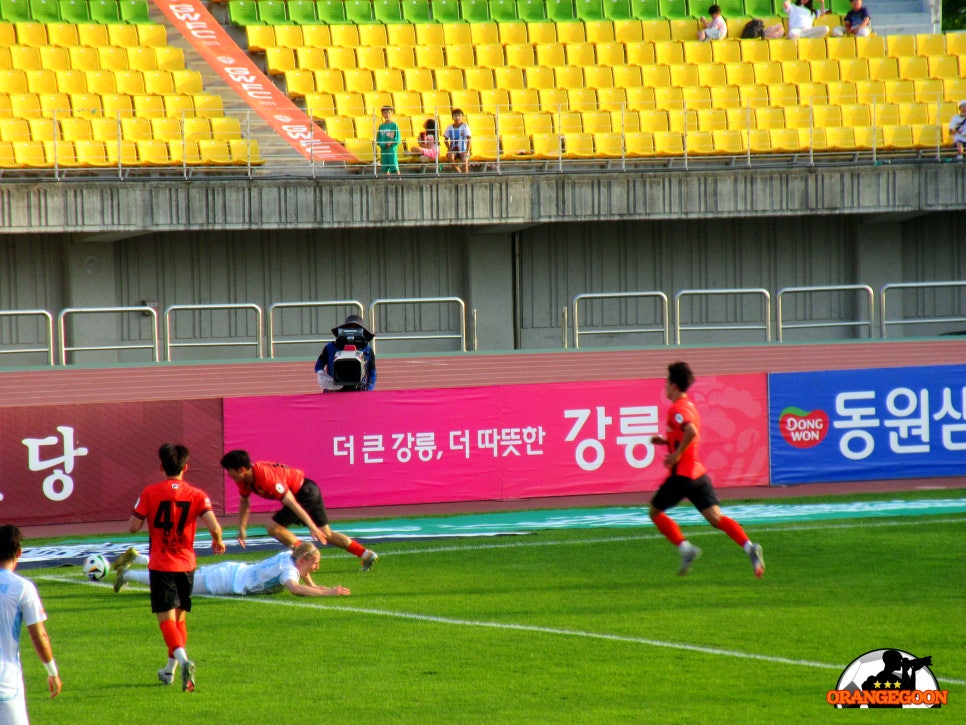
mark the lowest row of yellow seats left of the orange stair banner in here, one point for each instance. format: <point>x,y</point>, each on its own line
<point>148,152</point>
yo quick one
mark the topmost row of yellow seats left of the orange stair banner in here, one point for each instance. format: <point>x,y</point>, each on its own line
<point>93,35</point>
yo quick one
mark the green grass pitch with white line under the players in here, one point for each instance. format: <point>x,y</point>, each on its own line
<point>588,626</point>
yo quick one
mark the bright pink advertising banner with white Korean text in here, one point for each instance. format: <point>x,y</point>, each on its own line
<point>492,443</point>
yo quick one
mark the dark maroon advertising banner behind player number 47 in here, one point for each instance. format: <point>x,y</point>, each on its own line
<point>74,463</point>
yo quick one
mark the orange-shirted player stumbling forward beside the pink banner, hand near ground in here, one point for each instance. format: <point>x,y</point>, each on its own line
<point>301,499</point>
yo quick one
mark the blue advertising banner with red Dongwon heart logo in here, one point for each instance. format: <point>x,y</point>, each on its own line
<point>865,425</point>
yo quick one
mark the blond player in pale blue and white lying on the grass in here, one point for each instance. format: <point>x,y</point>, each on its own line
<point>285,570</point>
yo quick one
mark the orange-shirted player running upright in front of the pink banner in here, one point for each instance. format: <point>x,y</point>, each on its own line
<point>688,477</point>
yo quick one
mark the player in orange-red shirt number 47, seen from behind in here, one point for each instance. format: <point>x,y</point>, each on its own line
<point>172,508</point>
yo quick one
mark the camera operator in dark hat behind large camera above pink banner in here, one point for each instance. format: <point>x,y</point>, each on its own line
<point>347,363</point>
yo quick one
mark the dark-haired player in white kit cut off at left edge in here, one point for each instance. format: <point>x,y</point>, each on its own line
<point>19,605</point>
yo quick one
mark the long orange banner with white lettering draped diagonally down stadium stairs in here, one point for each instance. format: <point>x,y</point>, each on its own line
<point>232,63</point>
